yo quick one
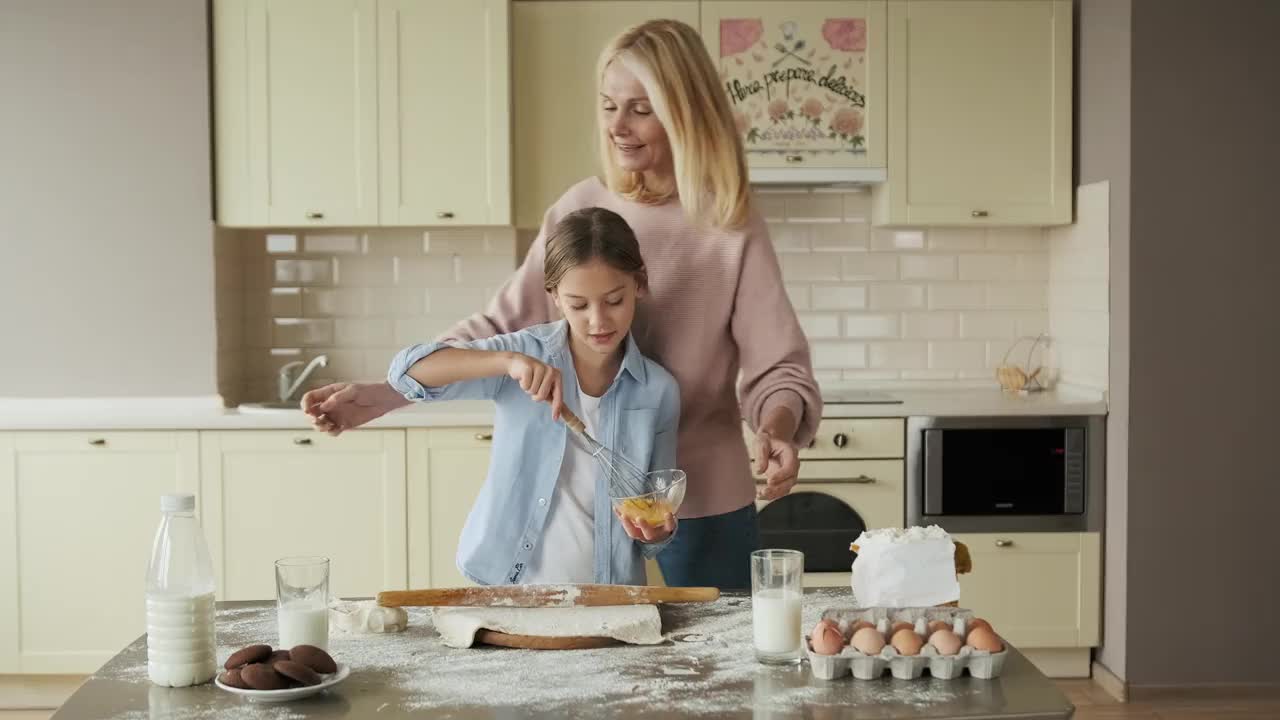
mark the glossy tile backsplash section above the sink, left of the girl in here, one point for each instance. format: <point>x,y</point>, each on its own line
<point>354,297</point>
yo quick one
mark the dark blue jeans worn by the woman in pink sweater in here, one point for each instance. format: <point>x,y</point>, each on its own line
<point>714,552</point>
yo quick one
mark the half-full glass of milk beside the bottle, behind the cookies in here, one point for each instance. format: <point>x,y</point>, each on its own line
<point>303,601</point>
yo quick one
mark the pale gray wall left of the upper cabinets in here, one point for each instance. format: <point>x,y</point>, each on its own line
<point>107,274</point>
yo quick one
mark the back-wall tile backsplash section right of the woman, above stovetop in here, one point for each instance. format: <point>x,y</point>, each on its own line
<point>924,306</point>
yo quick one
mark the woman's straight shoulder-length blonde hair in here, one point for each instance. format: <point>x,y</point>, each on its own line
<point>685,92</point>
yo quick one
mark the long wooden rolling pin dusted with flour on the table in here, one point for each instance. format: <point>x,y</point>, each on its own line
<point>545,596</point>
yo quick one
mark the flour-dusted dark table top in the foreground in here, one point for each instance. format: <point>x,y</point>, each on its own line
<point>703,671</point>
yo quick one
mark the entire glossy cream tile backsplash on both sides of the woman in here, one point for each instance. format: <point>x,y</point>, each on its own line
<point>880,306</point>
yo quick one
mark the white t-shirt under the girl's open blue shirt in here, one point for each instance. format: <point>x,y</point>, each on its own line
<point>566,552</point>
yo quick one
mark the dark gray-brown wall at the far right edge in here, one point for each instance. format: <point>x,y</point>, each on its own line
<point>1205,344</point>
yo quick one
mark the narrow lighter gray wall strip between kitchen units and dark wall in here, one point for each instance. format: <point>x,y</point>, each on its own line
<point>1103,35</point>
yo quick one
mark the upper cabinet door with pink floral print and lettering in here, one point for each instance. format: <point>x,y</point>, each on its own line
<point>806,81</point>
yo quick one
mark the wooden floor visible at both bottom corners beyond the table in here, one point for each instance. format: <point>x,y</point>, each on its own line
<point>1091,704</point>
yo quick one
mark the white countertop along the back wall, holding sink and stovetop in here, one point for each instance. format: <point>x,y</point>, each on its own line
<point>208,413</point>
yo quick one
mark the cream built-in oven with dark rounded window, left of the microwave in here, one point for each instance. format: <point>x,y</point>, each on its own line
<point>852,479</point>
